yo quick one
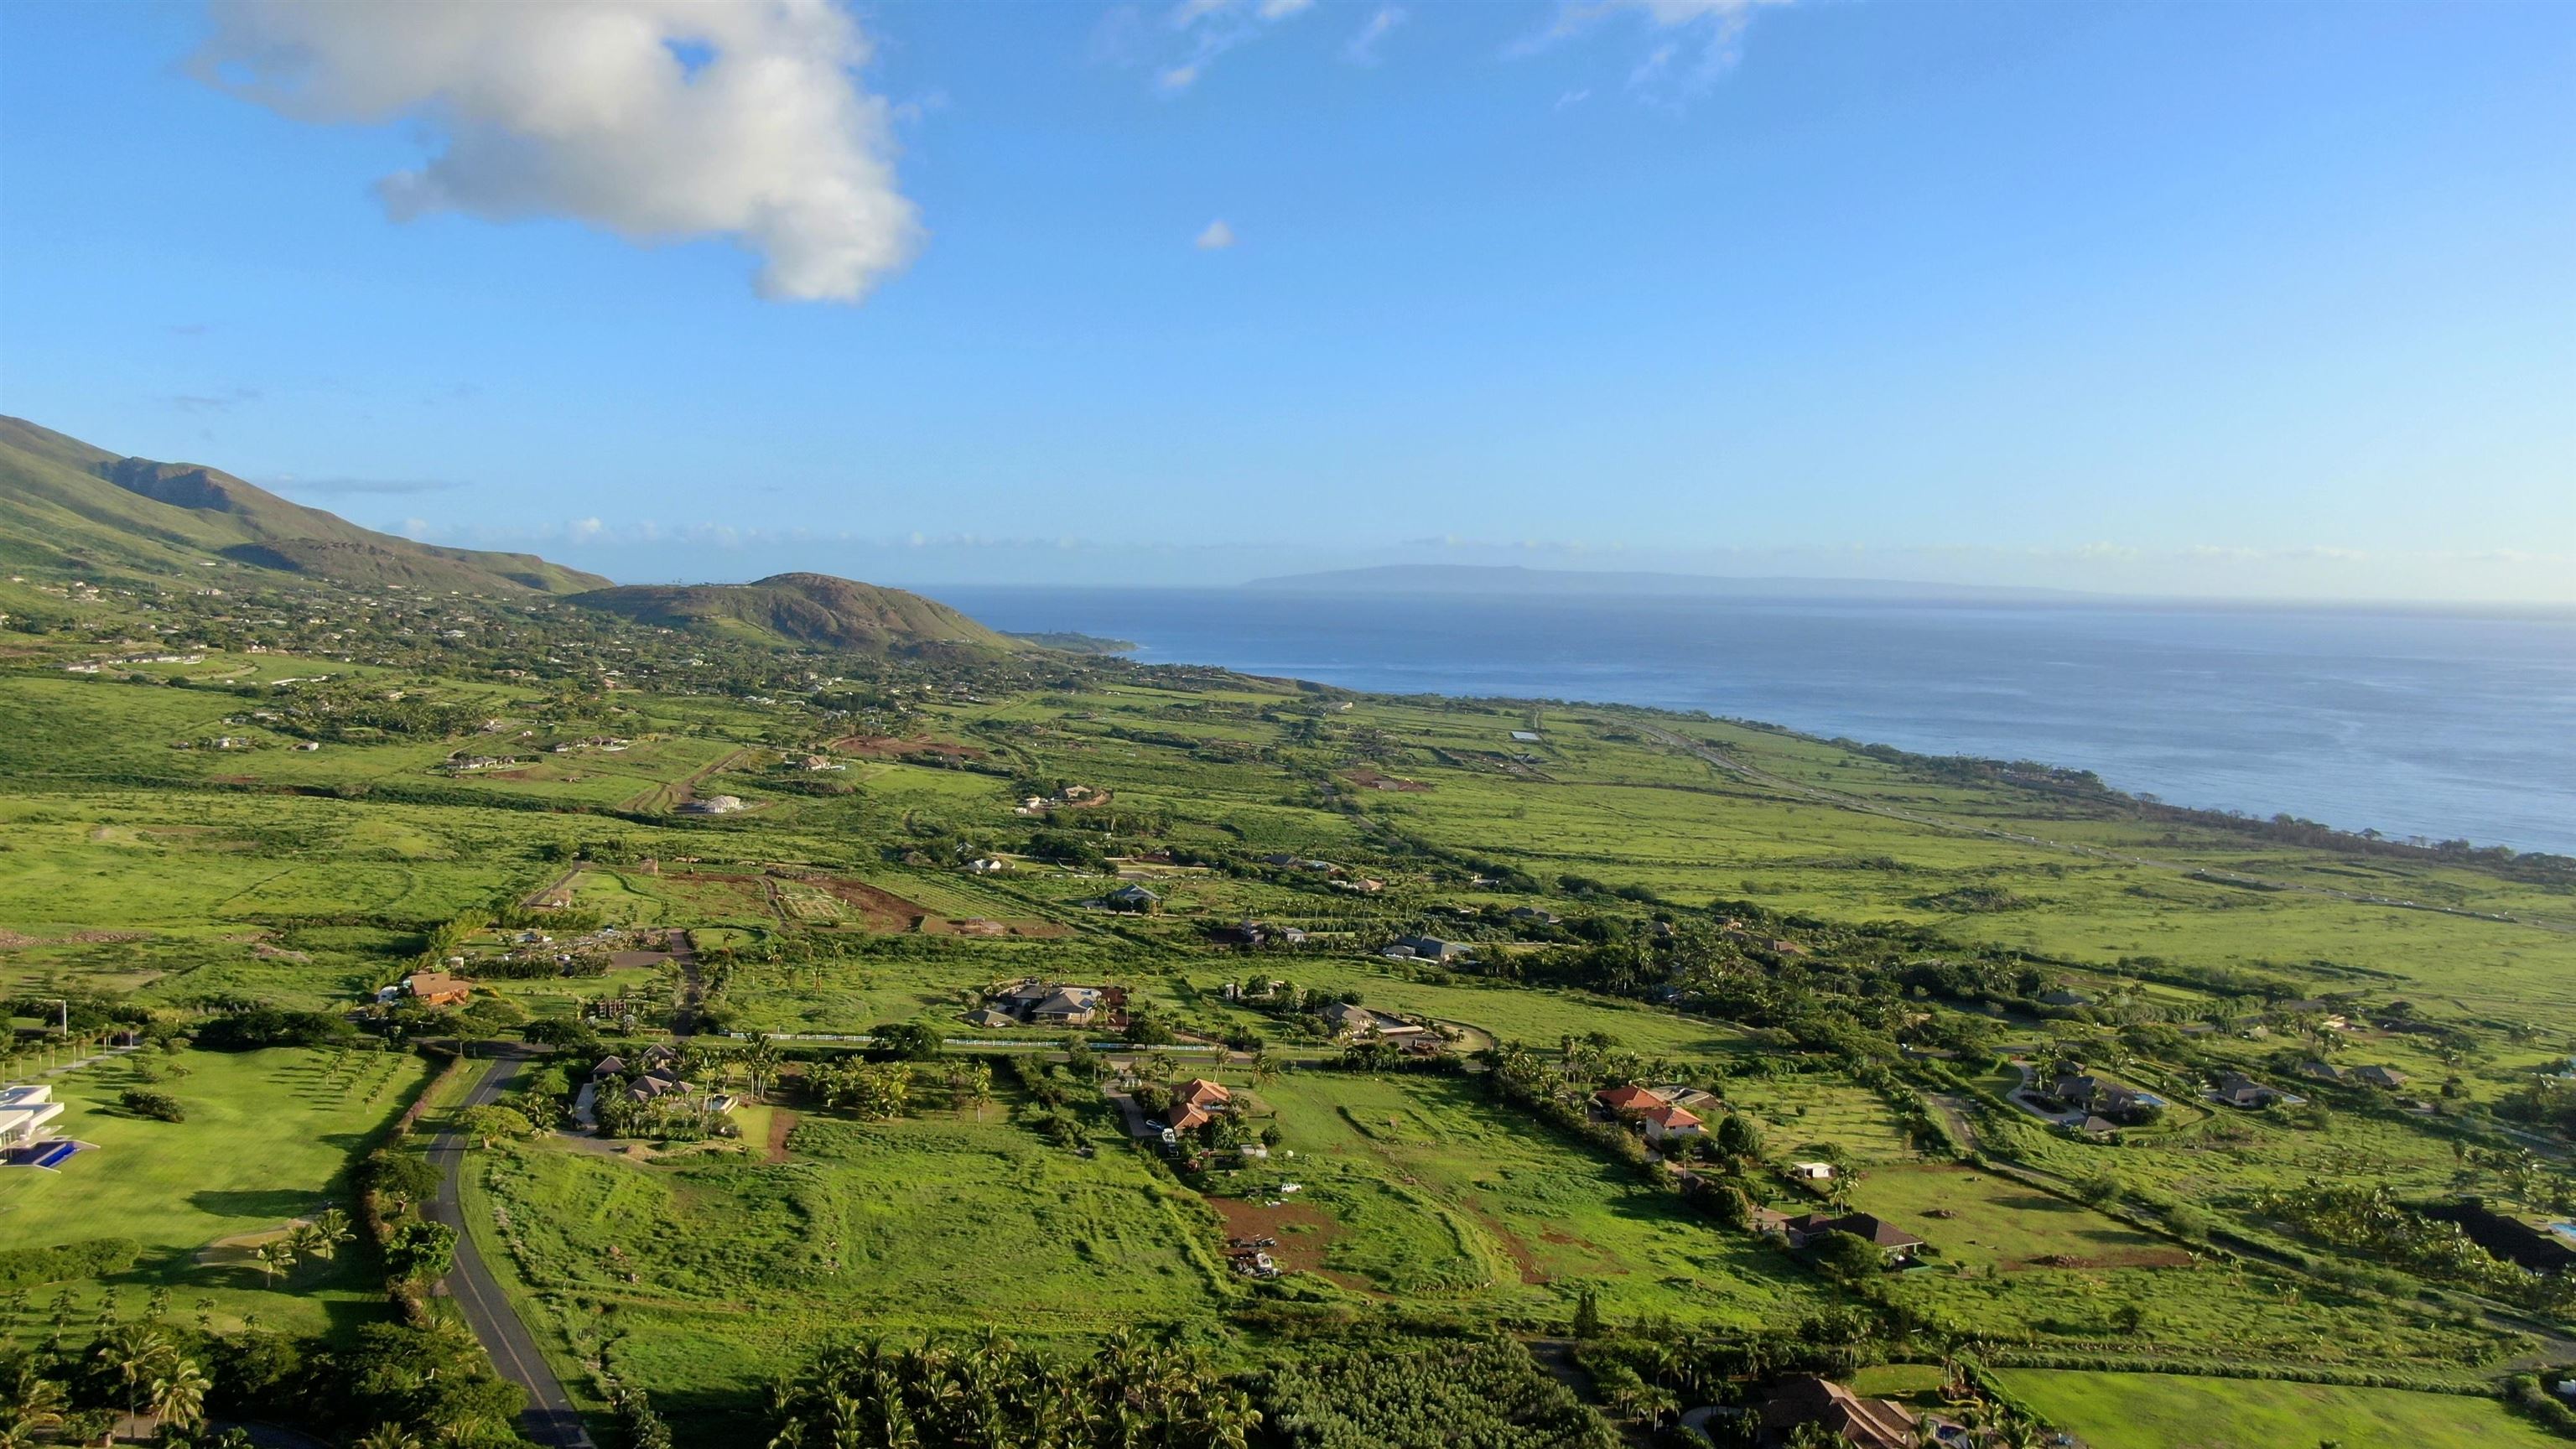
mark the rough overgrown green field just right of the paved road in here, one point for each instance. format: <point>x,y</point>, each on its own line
<point>712,1272</point>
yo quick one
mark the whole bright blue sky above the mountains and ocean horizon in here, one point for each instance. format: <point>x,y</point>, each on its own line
<point>2248,300</point>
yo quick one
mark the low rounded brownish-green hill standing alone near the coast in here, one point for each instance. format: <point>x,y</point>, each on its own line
<point>802,610</point>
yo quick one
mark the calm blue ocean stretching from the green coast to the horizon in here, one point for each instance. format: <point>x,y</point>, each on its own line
<point>2410,723</point>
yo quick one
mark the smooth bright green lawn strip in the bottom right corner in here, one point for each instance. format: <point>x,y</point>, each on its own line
<point>2173,1412</point>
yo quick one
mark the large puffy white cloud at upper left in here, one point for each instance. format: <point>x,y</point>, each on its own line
<point>656,120</point>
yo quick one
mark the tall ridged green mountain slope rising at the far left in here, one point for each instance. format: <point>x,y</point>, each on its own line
<point>76,507</point>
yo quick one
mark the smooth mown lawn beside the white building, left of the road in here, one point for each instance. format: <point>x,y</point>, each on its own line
<point>267,1141</point>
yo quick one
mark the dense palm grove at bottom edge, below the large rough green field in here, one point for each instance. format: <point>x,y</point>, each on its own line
<point>990,1391</point>
